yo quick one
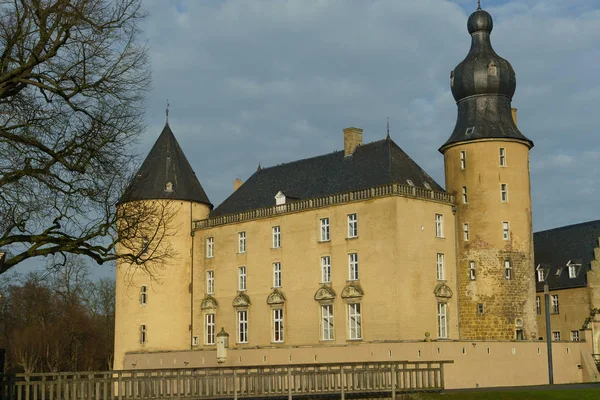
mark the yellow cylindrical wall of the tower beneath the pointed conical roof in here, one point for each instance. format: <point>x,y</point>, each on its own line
<point>167,312</point>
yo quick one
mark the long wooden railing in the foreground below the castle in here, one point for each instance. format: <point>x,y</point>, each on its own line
<point>355,379</point>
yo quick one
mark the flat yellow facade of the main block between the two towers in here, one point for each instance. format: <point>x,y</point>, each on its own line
<point>397,251</point>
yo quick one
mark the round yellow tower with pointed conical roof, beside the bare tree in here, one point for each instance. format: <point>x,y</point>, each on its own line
<point>154,313</point>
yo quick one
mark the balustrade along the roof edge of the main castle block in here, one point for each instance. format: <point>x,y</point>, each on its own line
<point>318,202</point>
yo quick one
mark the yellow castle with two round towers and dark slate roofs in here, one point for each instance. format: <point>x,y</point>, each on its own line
<point>345,251</point>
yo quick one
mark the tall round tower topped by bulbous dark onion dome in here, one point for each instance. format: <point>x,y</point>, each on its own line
<point>487,169</point>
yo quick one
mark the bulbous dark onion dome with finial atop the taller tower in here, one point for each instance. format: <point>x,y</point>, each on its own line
<point>483,85</point>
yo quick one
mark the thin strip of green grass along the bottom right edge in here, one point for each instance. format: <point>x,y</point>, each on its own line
<point>566,394</point>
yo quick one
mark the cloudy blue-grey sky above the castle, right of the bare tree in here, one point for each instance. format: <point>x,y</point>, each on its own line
<point>274,81</point>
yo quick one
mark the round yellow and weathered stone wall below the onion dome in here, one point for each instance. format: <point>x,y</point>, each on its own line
<point>508,304</point>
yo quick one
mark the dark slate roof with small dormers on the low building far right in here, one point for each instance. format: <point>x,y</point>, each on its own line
<point>554,248</point>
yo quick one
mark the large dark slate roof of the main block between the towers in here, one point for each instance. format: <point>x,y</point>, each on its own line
<point>372,164</point>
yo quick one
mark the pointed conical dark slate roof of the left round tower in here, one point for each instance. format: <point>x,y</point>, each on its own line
<point>166,174</point>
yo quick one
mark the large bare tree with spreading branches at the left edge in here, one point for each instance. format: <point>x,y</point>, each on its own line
<point>73,77</point>
